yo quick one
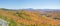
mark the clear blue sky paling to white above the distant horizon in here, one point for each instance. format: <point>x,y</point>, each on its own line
<point>35,4</point>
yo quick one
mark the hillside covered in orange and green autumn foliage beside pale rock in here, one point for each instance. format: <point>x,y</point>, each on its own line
<point>29,18</point>
